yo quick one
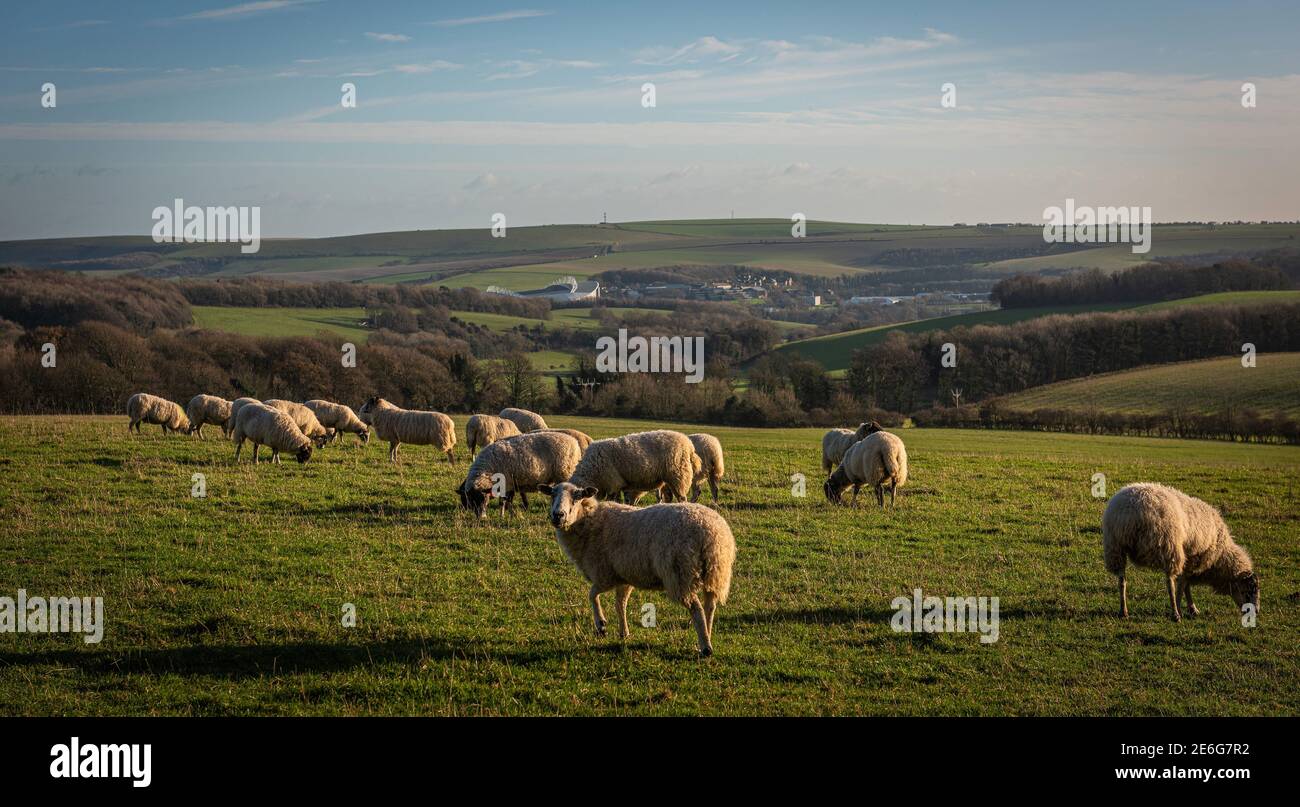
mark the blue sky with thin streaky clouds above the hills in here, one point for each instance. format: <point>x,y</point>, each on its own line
<point>762,110</point>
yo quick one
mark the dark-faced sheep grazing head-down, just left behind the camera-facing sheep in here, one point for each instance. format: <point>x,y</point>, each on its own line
<point>526,462</point>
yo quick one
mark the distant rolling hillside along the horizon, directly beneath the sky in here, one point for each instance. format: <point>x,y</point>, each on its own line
<point>531,257</point>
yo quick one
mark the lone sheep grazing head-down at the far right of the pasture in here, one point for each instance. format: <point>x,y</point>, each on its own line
<point>1163,528</point>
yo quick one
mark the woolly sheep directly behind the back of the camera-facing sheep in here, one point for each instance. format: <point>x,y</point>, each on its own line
<point>639,463</point>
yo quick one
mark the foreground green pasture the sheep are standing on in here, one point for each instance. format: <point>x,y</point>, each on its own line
<point>231,605</point>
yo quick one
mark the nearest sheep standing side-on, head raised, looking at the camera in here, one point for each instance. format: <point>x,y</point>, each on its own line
<point>684,550</point>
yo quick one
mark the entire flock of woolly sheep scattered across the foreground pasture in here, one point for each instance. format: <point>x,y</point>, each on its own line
<point>679,546</point>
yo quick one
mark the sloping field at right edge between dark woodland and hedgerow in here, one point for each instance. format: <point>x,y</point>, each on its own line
<point>1210,387</point>
